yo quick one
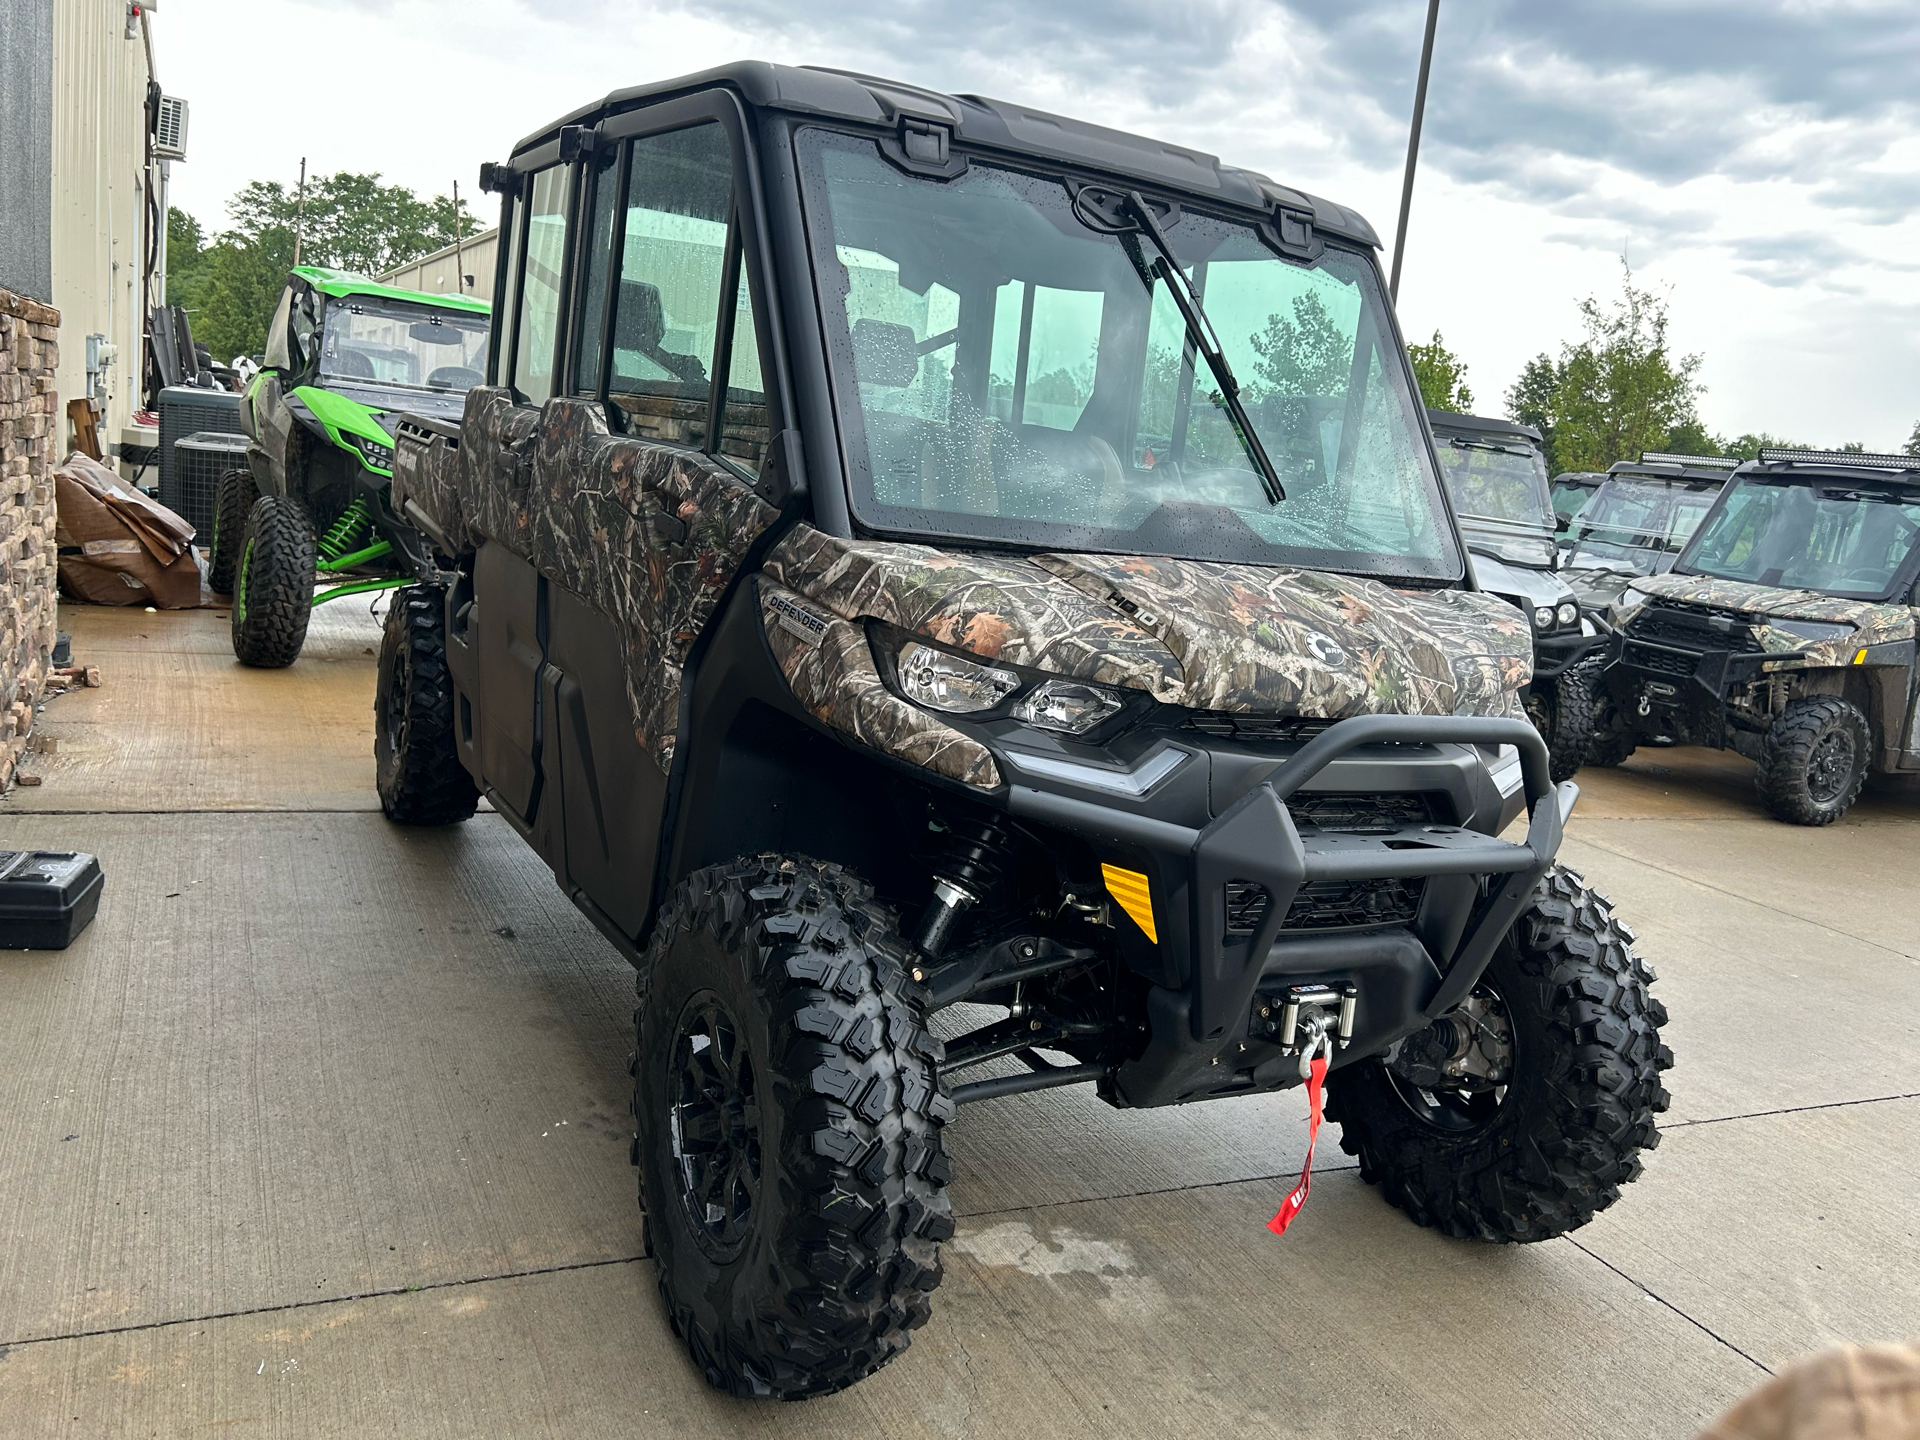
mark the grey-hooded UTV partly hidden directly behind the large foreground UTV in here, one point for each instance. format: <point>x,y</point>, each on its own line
<point>1499,485</point>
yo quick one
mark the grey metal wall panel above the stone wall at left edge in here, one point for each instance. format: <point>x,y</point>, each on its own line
<point>26,145</point>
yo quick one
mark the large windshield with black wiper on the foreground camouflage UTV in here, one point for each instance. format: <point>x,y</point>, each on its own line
<point>1007,373</point>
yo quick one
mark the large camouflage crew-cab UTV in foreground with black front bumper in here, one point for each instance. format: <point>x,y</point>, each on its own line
<point>917,552</point>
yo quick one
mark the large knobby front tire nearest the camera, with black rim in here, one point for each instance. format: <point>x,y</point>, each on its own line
<point>788,1128</point>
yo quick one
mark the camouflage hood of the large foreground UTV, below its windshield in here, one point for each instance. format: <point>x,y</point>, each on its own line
<point>1255,640</point>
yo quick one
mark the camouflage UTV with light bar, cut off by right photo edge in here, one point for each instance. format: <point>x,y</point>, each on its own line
<point>1785,633</point>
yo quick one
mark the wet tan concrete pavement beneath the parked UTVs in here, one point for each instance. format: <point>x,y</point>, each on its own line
<point>322,1132</point>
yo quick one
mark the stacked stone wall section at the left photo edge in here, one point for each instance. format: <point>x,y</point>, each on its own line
<point>30,435</point>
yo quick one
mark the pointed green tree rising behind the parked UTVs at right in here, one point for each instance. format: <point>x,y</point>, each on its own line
<point>1620,391</point>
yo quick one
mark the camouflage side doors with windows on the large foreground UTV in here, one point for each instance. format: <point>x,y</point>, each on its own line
<point>613,523</point>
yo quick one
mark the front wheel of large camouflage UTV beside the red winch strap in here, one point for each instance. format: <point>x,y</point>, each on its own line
<point>1524,1113</point>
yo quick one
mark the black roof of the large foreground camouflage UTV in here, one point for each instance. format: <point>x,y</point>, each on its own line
<point>980,122</point>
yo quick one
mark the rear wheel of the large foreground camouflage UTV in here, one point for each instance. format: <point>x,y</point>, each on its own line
<point>418,769</point>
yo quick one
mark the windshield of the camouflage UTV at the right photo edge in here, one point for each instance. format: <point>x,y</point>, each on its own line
<point>1798,535</point>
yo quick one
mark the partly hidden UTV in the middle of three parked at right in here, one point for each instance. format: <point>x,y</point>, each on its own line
<point>1639,523</point>
